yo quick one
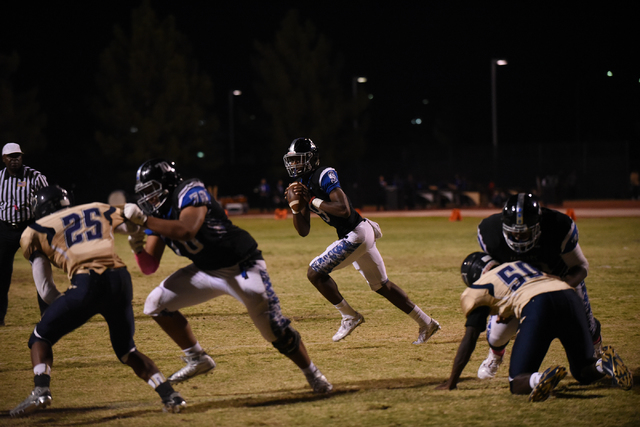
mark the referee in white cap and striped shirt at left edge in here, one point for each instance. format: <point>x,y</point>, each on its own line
<point>18,184</point>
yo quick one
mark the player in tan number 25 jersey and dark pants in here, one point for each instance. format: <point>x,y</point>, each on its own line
<point>79,240</point>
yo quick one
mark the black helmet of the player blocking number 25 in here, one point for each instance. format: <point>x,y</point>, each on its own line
<point>155,181</point>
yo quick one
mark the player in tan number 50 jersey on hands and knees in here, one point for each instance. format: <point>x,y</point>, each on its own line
<point>547,308</point>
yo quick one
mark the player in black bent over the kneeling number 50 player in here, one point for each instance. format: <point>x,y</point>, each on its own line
<point>544,238</point>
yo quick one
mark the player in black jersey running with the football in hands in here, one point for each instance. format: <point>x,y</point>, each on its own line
<point>322,194</point>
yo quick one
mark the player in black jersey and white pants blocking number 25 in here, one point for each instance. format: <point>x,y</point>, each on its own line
<point>181,214</point>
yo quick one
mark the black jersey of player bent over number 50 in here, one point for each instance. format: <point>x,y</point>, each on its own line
<point>558,236</point>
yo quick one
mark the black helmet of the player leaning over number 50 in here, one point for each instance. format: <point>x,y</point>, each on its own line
<point>521,222</point>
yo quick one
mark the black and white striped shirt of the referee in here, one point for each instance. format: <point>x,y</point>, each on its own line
<point>16,193</point>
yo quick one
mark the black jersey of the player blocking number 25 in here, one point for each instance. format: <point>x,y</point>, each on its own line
<point>219,243</point>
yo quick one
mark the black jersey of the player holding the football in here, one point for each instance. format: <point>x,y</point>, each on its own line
<point>321,183</point>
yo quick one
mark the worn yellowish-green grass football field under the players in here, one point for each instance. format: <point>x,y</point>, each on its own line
<point>380,378</point>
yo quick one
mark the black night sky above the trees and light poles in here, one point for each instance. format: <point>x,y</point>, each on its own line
<point>555,87</point>
